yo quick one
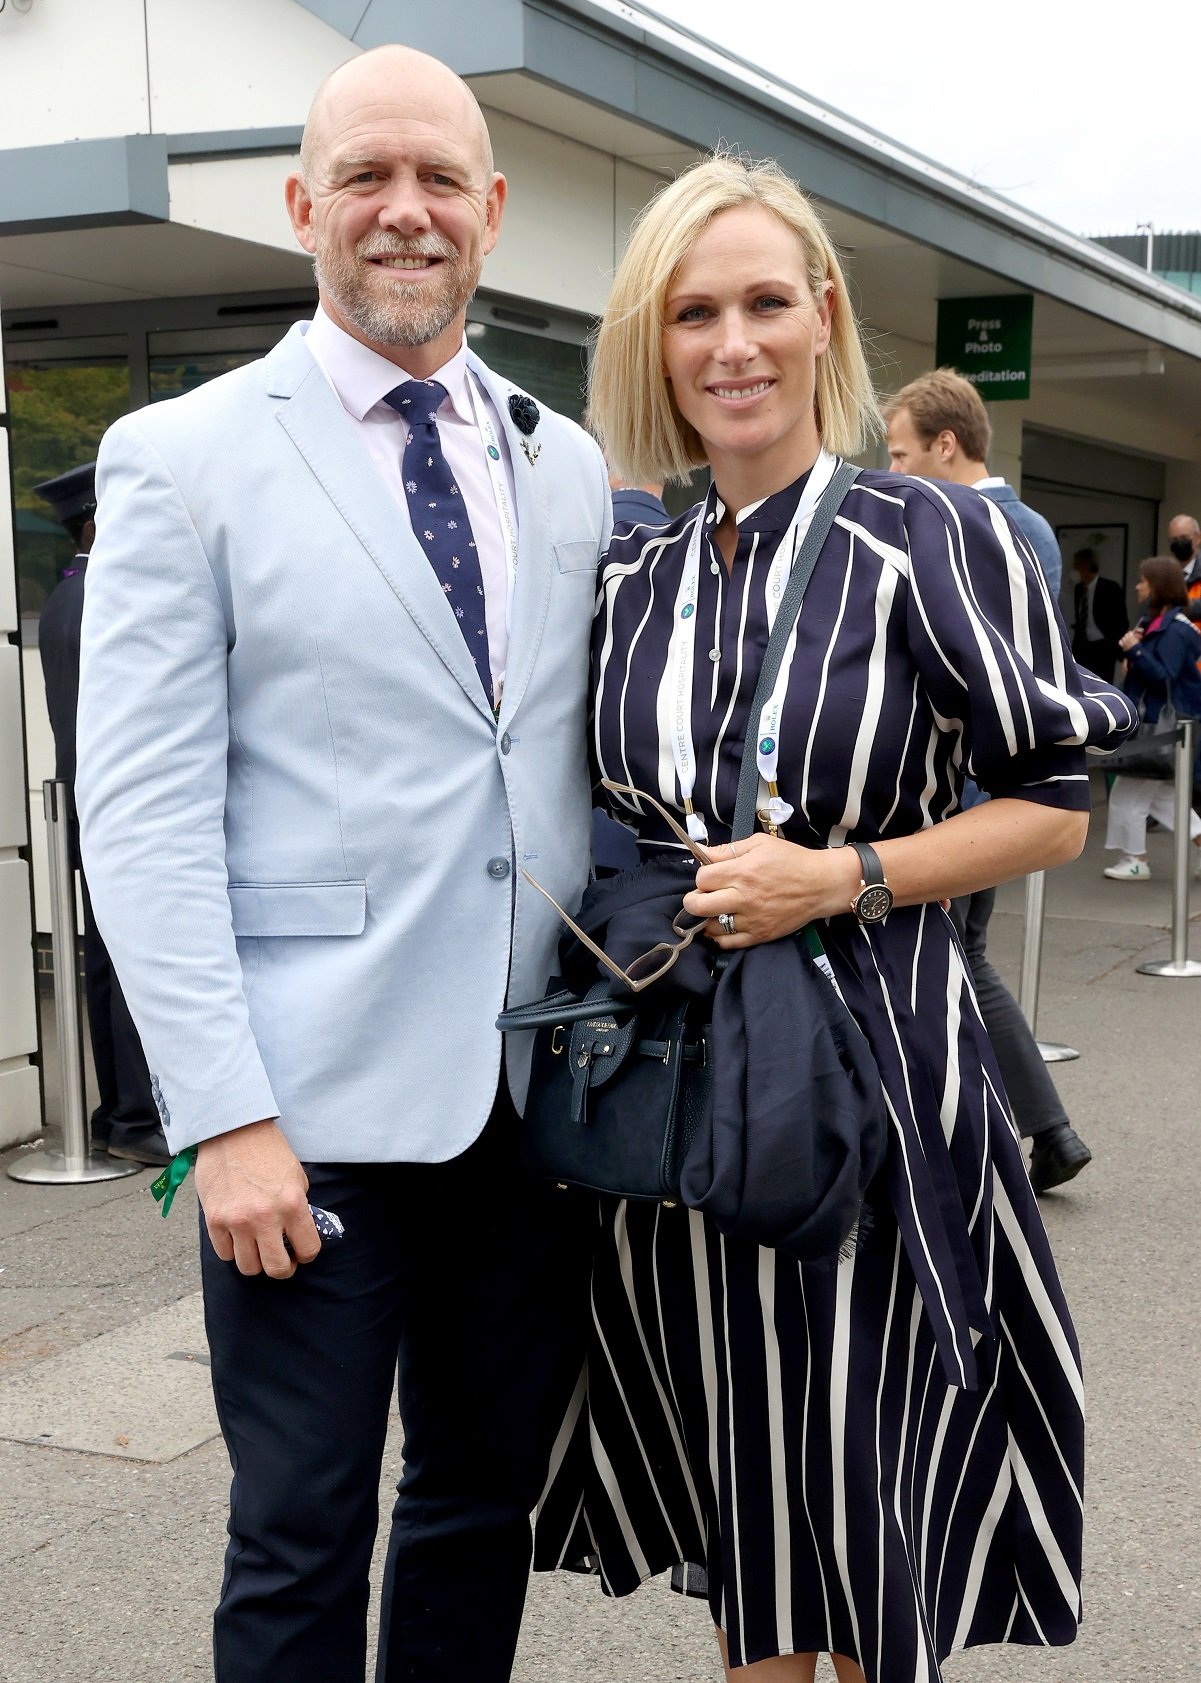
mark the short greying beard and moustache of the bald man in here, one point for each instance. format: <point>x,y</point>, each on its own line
<point>411,314</point>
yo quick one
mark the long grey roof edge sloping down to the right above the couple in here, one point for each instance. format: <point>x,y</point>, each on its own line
<point>670,85</point>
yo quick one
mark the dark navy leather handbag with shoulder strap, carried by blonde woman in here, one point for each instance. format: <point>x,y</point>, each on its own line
<point>620,1083</point>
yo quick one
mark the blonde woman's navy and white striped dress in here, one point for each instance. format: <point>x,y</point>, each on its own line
<point>881,1457</point>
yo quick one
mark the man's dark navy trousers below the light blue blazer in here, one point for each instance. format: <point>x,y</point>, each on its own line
<point>467,1280</point>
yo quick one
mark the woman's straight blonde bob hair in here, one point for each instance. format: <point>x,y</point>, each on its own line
<point>632,406</point>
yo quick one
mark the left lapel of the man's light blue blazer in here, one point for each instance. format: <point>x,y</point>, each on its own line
<point>320,430</point>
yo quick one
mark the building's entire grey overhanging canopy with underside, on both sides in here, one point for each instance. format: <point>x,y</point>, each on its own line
<point>627,83</point>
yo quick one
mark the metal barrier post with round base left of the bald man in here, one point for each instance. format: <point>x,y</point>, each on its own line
<point>77,1164</point>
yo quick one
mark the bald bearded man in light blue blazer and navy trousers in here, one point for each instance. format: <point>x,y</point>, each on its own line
<point>336,656</point>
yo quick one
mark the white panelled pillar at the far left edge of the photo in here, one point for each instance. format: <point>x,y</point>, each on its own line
<point>21,1093</point>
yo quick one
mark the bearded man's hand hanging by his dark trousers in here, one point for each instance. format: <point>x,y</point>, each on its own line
<point>253,1192</point>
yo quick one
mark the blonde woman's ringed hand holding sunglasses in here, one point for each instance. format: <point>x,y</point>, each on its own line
<point>771,888</point>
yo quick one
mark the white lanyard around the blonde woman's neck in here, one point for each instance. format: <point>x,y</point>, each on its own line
<point>773,810</point>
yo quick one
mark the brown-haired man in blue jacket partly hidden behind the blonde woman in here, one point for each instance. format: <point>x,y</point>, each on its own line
<point>939,430</point>
